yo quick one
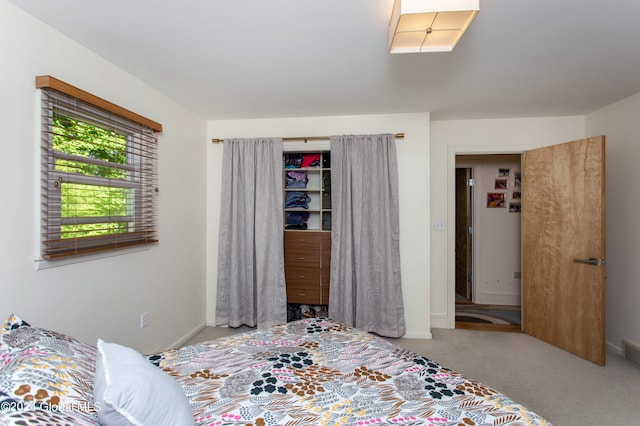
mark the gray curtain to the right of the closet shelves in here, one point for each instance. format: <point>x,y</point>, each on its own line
<point>366,289</point>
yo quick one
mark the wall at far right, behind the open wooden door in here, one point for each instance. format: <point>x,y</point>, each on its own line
<point>620,123</point>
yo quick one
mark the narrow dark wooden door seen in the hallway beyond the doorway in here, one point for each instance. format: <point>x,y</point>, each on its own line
<point>463,238</point>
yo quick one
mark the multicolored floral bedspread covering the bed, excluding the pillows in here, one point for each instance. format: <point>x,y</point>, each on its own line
<point>321,372</point>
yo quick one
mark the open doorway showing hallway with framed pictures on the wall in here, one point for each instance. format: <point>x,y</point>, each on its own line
<point>487,242</point>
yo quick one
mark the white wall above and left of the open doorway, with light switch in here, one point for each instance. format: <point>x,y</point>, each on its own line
<point>448,138</point>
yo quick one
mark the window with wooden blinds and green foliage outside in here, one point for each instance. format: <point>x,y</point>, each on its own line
<point>99,173</point>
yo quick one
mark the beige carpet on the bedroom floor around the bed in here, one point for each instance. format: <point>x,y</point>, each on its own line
<point>564,389</point>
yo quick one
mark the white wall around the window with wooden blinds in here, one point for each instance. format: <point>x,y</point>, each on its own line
<point>100,298</point>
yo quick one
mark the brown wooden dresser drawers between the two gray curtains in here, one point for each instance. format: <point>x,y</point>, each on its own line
<point>307,262</point>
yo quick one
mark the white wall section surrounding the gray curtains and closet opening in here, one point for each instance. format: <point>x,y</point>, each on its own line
<point>413,165</point>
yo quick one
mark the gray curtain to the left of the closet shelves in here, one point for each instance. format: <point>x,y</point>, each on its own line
<point>251,284</point>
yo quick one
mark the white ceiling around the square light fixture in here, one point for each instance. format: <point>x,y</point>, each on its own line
<point>238,59</point>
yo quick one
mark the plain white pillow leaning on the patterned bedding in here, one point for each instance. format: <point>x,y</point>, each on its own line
<point>129,390</point>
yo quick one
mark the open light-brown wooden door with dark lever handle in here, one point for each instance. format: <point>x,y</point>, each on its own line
<point>563,271</point>
